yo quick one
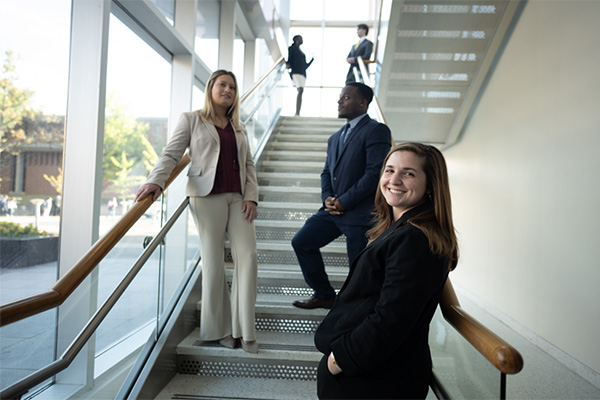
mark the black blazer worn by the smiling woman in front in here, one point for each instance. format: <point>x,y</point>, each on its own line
<point>379,324</point>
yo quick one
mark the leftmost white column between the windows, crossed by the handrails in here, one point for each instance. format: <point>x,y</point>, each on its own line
<point>84,136</point>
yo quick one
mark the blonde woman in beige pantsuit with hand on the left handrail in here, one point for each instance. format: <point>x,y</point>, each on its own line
<point>223,193</point>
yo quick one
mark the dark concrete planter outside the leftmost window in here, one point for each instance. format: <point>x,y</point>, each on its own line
<point>23,252</point>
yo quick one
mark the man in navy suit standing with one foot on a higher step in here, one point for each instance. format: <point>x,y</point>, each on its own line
<point>349,179</point>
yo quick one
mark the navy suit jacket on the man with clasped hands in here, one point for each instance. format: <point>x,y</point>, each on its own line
<point>353,175</point>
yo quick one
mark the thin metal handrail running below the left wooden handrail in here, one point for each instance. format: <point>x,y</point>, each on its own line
<point>21,387</point>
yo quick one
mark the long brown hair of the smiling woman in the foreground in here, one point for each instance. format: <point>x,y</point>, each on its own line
<point>436,220</point>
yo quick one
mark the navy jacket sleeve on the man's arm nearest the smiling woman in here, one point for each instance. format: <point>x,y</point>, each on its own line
<point>377,144</point>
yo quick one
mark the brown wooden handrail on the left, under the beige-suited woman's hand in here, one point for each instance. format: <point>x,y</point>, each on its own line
<point>57,294</point>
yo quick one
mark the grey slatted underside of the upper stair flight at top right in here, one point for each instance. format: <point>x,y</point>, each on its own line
<point>436,59</point>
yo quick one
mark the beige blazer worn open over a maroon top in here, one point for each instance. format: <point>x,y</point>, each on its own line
<point>204,146</point>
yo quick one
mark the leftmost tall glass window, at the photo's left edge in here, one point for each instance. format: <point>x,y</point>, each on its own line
<point>34,52</point>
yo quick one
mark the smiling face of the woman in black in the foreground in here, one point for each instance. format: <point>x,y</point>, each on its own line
<point>403,182</point>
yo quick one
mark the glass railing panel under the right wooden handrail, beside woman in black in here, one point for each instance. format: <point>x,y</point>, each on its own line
<point>462,370</point>
